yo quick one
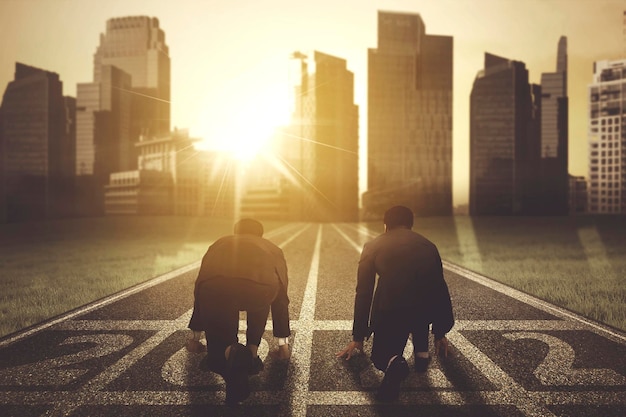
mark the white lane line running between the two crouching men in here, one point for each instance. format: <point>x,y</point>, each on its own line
<point>300,364</point>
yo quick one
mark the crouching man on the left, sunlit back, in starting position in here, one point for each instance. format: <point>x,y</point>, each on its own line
<point>240,272</point>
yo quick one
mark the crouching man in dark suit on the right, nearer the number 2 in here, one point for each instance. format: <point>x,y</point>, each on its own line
<point>410,295</point>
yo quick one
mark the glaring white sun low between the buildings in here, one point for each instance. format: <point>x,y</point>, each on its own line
<point>244,127</point>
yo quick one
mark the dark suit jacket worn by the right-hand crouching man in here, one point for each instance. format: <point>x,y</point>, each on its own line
<point>410,280</point>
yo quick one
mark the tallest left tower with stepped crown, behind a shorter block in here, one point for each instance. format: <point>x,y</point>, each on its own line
<point>137,46</point>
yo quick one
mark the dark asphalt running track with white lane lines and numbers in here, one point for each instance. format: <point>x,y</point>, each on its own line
<point>514,355</point>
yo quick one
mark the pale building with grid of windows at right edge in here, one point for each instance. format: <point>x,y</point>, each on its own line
<point>607,138</point>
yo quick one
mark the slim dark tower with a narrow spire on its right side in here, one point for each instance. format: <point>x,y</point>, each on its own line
<point>553,172</point>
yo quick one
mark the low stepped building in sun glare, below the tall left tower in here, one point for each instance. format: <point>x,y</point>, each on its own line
<point>173,177</point>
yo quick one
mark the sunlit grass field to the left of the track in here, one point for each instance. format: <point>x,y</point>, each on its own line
<point>49,268</point>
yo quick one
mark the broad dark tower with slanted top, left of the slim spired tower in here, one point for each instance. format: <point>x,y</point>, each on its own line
<point>501,140</point>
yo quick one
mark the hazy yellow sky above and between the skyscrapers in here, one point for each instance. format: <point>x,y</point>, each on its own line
<point>230,58</point>
